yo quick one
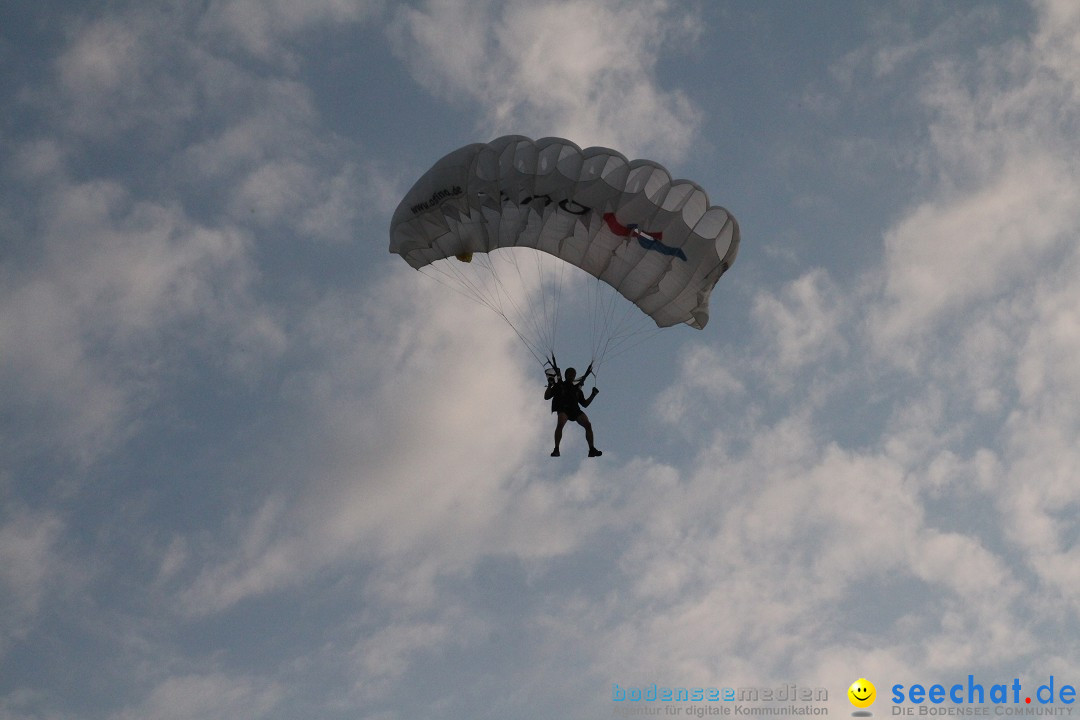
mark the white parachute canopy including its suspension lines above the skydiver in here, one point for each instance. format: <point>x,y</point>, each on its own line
<point>510,223</point>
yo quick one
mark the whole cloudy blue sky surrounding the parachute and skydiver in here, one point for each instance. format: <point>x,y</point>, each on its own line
<point>253,466</point>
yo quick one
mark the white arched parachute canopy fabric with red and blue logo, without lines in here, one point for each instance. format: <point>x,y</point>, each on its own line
<point>656,241</point>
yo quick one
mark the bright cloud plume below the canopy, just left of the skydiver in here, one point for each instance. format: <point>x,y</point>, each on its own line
<point>414,393</point>
